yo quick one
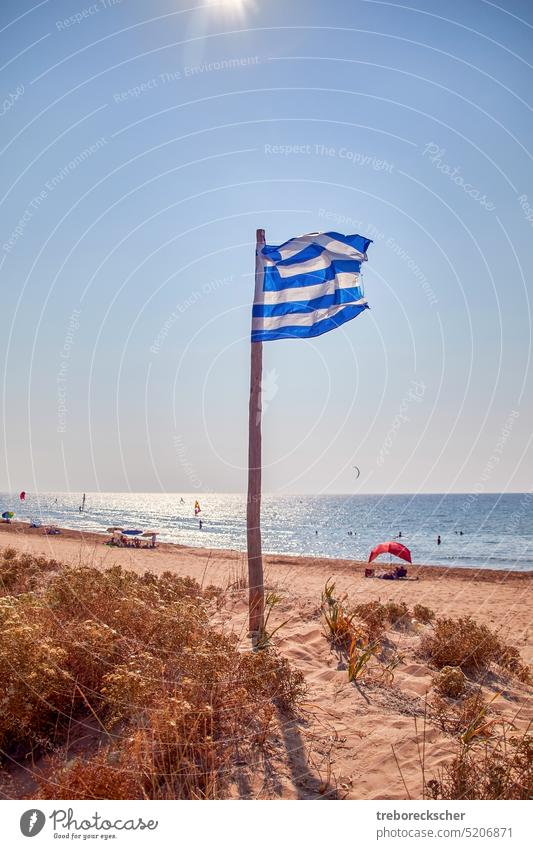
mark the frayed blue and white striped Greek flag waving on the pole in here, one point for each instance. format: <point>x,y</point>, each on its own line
<point>308,285</point>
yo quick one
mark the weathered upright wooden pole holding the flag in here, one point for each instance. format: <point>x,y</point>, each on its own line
<point>253,507</point>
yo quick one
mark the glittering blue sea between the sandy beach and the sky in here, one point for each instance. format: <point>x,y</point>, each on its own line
<point>491,531</point>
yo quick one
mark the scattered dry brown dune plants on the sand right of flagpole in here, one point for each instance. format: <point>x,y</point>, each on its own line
<point>491,760</point>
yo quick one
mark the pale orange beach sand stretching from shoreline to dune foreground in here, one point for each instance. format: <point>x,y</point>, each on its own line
<point>345,735</point>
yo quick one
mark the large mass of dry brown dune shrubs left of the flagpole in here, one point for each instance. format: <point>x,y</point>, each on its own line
<point>174,701</point>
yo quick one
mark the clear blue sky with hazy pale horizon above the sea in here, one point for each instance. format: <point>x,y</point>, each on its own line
<point>142,144</point>
